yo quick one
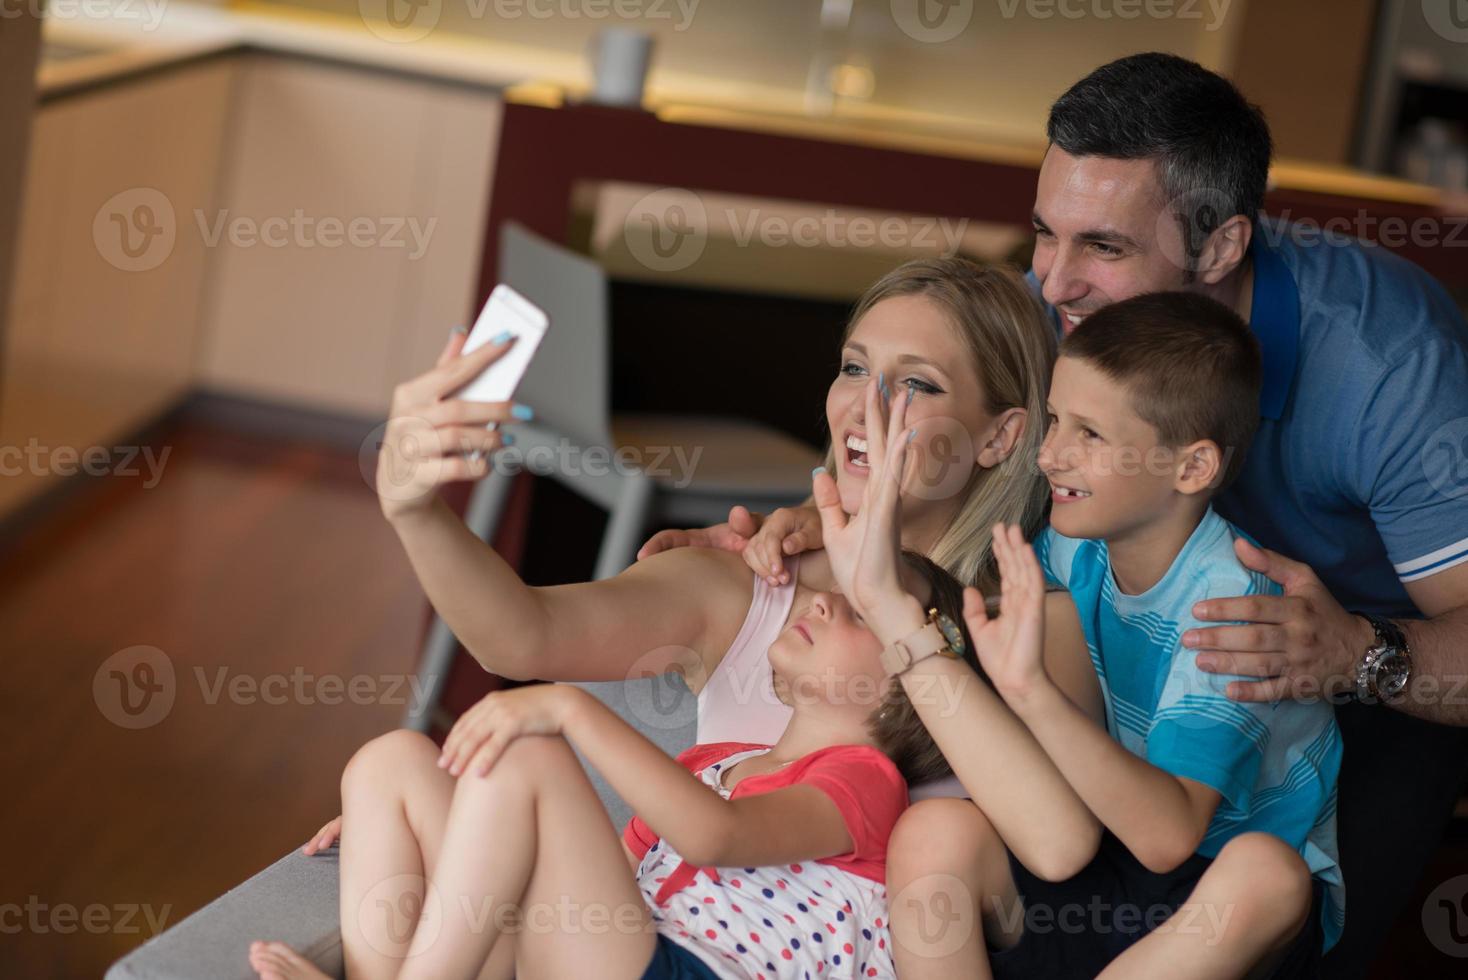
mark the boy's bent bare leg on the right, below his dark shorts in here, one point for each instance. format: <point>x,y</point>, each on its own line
<point>1240,921</point>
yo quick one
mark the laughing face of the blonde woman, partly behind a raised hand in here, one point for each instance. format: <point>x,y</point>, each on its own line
<point>912,343</point>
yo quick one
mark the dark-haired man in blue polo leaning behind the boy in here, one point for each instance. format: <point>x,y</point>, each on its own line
<point>1155,177</point>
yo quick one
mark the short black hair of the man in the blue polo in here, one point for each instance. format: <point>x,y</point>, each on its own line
<point>1212,146</point>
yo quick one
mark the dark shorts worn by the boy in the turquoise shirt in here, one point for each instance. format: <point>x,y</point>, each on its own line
<point>1078,926</point>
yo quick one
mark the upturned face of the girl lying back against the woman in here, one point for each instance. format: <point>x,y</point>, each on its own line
<point>827,657</point>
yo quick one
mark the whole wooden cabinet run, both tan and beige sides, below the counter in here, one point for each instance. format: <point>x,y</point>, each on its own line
<point>272,228</point>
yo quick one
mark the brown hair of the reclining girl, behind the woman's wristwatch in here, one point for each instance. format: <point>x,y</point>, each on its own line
<point>895,725</point>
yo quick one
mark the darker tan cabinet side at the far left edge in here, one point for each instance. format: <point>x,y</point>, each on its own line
<point>105,309</point>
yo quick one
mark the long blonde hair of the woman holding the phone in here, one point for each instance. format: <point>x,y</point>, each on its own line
<point>1012,351</point>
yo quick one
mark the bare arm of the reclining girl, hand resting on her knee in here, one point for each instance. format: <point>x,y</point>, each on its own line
<point>798,824</point>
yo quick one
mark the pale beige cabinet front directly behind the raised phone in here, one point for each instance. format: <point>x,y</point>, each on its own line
<point>353,209</point>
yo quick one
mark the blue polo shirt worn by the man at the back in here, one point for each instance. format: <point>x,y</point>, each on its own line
<point>1360,466</point>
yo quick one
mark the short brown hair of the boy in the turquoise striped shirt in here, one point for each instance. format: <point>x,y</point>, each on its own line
<point>1190,363</point>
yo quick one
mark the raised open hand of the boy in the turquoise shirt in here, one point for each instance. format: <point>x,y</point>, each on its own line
<point>1011,646</point>
